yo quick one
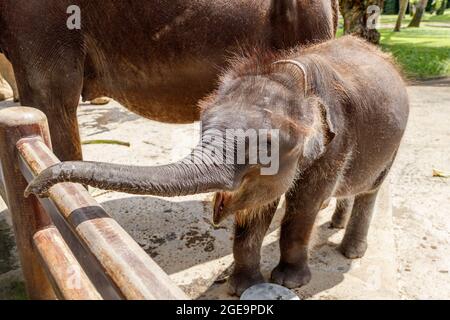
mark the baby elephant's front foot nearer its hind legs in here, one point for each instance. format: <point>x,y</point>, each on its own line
<point>291,275</point>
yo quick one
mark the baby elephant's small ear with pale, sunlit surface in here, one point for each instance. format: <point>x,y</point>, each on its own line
<point>322,131</point>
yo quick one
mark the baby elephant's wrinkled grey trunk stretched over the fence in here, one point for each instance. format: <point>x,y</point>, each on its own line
<point>195,174</point>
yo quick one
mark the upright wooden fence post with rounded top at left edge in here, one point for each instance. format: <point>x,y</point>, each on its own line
<point>27,215</point>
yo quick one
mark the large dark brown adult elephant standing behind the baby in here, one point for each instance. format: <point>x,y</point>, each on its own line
<point>156,57</point>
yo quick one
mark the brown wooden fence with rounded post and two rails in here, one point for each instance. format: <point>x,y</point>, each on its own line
<point>69,247</point>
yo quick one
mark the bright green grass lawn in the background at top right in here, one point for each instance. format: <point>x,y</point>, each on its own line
<point>422,52</point>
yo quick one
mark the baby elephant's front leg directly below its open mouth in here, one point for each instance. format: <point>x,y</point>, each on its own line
<point>251,227</point>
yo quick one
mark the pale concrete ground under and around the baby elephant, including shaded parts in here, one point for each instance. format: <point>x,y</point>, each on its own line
<point>409,240</point>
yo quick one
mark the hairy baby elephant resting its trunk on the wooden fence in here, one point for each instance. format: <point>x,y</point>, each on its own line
<point>329,120</point>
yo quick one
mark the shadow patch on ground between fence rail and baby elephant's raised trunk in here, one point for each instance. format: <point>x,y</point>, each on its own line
<point>178,235</point>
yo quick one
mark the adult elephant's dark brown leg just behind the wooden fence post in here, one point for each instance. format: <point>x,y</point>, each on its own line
<point>56,91</point>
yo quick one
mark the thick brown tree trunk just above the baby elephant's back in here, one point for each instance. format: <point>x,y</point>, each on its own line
<point>357,18</point>
